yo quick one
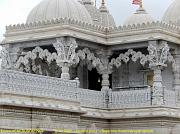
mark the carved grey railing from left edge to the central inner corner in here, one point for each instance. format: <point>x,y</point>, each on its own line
<point>20,83</point>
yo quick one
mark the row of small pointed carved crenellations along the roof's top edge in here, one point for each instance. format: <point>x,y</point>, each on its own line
<point>98,28</point>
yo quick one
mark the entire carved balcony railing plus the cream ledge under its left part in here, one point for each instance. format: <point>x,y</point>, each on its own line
<point>31,90</point>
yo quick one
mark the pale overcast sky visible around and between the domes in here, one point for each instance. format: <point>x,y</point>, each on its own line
<point>16,11</point>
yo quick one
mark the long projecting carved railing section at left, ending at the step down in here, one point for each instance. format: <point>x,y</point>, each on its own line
<point>36,85</point>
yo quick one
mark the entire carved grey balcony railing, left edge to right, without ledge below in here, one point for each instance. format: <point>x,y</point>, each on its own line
<point>20,83</point>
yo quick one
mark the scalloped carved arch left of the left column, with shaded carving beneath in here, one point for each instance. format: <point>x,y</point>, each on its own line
<point>37,61</point>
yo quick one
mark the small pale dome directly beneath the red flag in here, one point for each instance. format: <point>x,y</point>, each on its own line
<point>141,16</point>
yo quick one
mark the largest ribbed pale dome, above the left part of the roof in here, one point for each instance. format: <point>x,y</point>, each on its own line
<point>51,9</point>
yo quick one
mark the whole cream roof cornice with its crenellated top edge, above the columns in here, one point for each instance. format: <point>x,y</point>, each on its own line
<point>104,35</point>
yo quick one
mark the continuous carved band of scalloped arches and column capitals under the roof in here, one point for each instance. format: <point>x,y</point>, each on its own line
<point>31,62</point>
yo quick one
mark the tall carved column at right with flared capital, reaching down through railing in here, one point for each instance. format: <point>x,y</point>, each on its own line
<point>158,56</point>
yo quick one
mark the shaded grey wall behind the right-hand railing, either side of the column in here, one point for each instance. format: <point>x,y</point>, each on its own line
<point>134,74</point>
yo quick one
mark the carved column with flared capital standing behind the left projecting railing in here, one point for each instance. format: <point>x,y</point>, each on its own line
<point>66,55</point>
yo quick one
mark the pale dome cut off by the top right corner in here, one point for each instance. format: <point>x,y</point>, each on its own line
<point>172,14</point>
